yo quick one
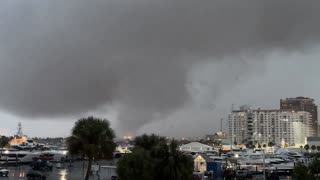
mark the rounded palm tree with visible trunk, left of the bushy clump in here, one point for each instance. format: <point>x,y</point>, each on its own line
<point>92,137</point>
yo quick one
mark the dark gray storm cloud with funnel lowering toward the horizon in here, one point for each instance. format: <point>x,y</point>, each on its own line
<point>60,58</point>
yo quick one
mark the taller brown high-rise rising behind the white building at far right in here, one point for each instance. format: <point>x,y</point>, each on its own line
<point>302,104</point>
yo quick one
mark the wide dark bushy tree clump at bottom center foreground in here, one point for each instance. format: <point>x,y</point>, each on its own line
<point>153,158</point>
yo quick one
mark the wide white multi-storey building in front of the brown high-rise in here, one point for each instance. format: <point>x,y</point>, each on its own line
<point>277,126</point>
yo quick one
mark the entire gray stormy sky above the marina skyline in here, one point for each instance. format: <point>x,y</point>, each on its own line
<point>169,67</point>
